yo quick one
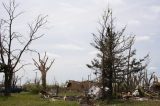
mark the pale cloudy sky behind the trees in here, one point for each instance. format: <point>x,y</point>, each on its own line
<point>68,33</point>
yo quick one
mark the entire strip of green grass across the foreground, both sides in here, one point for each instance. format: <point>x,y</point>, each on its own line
<point>28,99</point>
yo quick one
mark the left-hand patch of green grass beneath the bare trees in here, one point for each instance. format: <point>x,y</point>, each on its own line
<point>27,99</point>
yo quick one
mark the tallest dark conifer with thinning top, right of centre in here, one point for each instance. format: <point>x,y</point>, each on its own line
<point>111,44</point>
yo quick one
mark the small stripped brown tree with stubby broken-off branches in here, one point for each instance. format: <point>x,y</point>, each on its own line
<point>42,67</point>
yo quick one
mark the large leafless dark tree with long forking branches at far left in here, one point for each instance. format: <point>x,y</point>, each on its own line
<point>12,44</point>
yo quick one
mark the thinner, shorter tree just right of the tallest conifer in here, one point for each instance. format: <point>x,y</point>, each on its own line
<point>134,67</point>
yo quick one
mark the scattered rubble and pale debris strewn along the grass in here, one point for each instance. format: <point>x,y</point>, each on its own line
<point>95,93</point>
